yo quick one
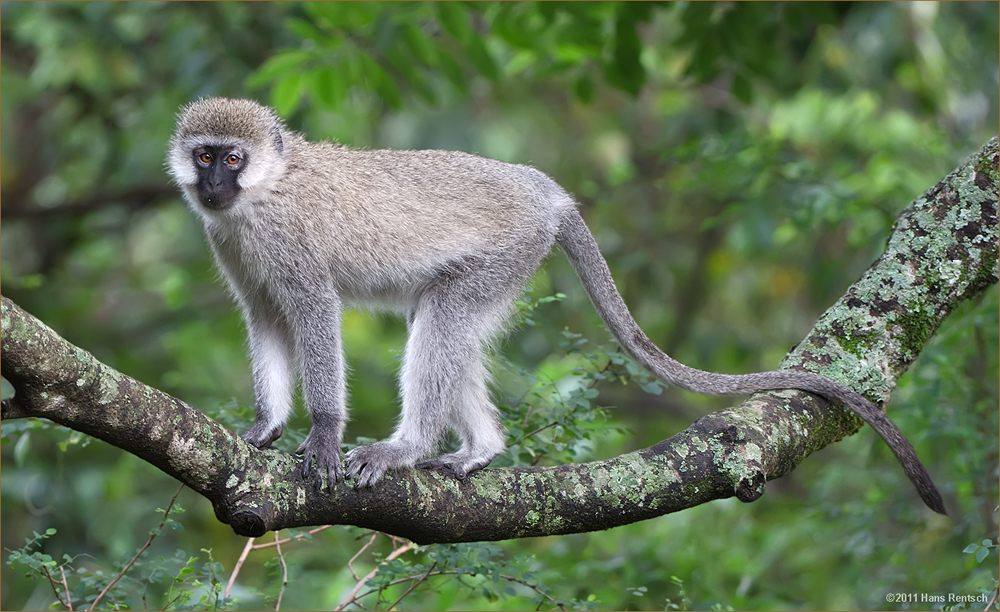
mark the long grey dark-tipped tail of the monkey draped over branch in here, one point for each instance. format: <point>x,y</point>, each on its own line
<point>580,248</point>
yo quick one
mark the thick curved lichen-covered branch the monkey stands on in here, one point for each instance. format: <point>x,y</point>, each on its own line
<point>943,250</point>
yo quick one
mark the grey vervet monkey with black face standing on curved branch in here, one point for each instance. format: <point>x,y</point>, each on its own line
<point>302,229</point>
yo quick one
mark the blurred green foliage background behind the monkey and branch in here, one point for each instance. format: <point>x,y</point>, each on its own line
<point>740,165</point>
